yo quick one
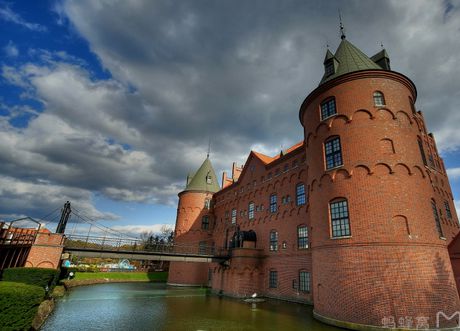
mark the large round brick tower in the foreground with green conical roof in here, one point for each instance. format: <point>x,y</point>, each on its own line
<point>378,249</point>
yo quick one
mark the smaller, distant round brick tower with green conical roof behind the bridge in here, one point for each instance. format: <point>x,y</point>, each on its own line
<point>194,224</point>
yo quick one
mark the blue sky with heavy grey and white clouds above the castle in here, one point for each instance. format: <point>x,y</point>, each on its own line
<point>109,104</point>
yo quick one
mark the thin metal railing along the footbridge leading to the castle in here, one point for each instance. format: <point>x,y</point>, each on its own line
<point>139,246</point>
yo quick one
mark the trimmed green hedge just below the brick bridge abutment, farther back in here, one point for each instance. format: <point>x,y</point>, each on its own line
<point>32,276</point>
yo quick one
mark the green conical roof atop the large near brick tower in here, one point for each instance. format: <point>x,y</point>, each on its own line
<point>349,59</point>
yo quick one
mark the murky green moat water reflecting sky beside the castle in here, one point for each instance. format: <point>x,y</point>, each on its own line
<point>151,306</point>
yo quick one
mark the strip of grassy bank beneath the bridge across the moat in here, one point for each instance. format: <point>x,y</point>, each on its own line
<point>135,276</point>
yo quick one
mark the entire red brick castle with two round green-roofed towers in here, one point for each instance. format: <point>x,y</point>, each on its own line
<point>355,219</point>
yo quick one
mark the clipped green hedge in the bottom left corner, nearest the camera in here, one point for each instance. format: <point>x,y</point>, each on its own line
<point>18,305</point>
